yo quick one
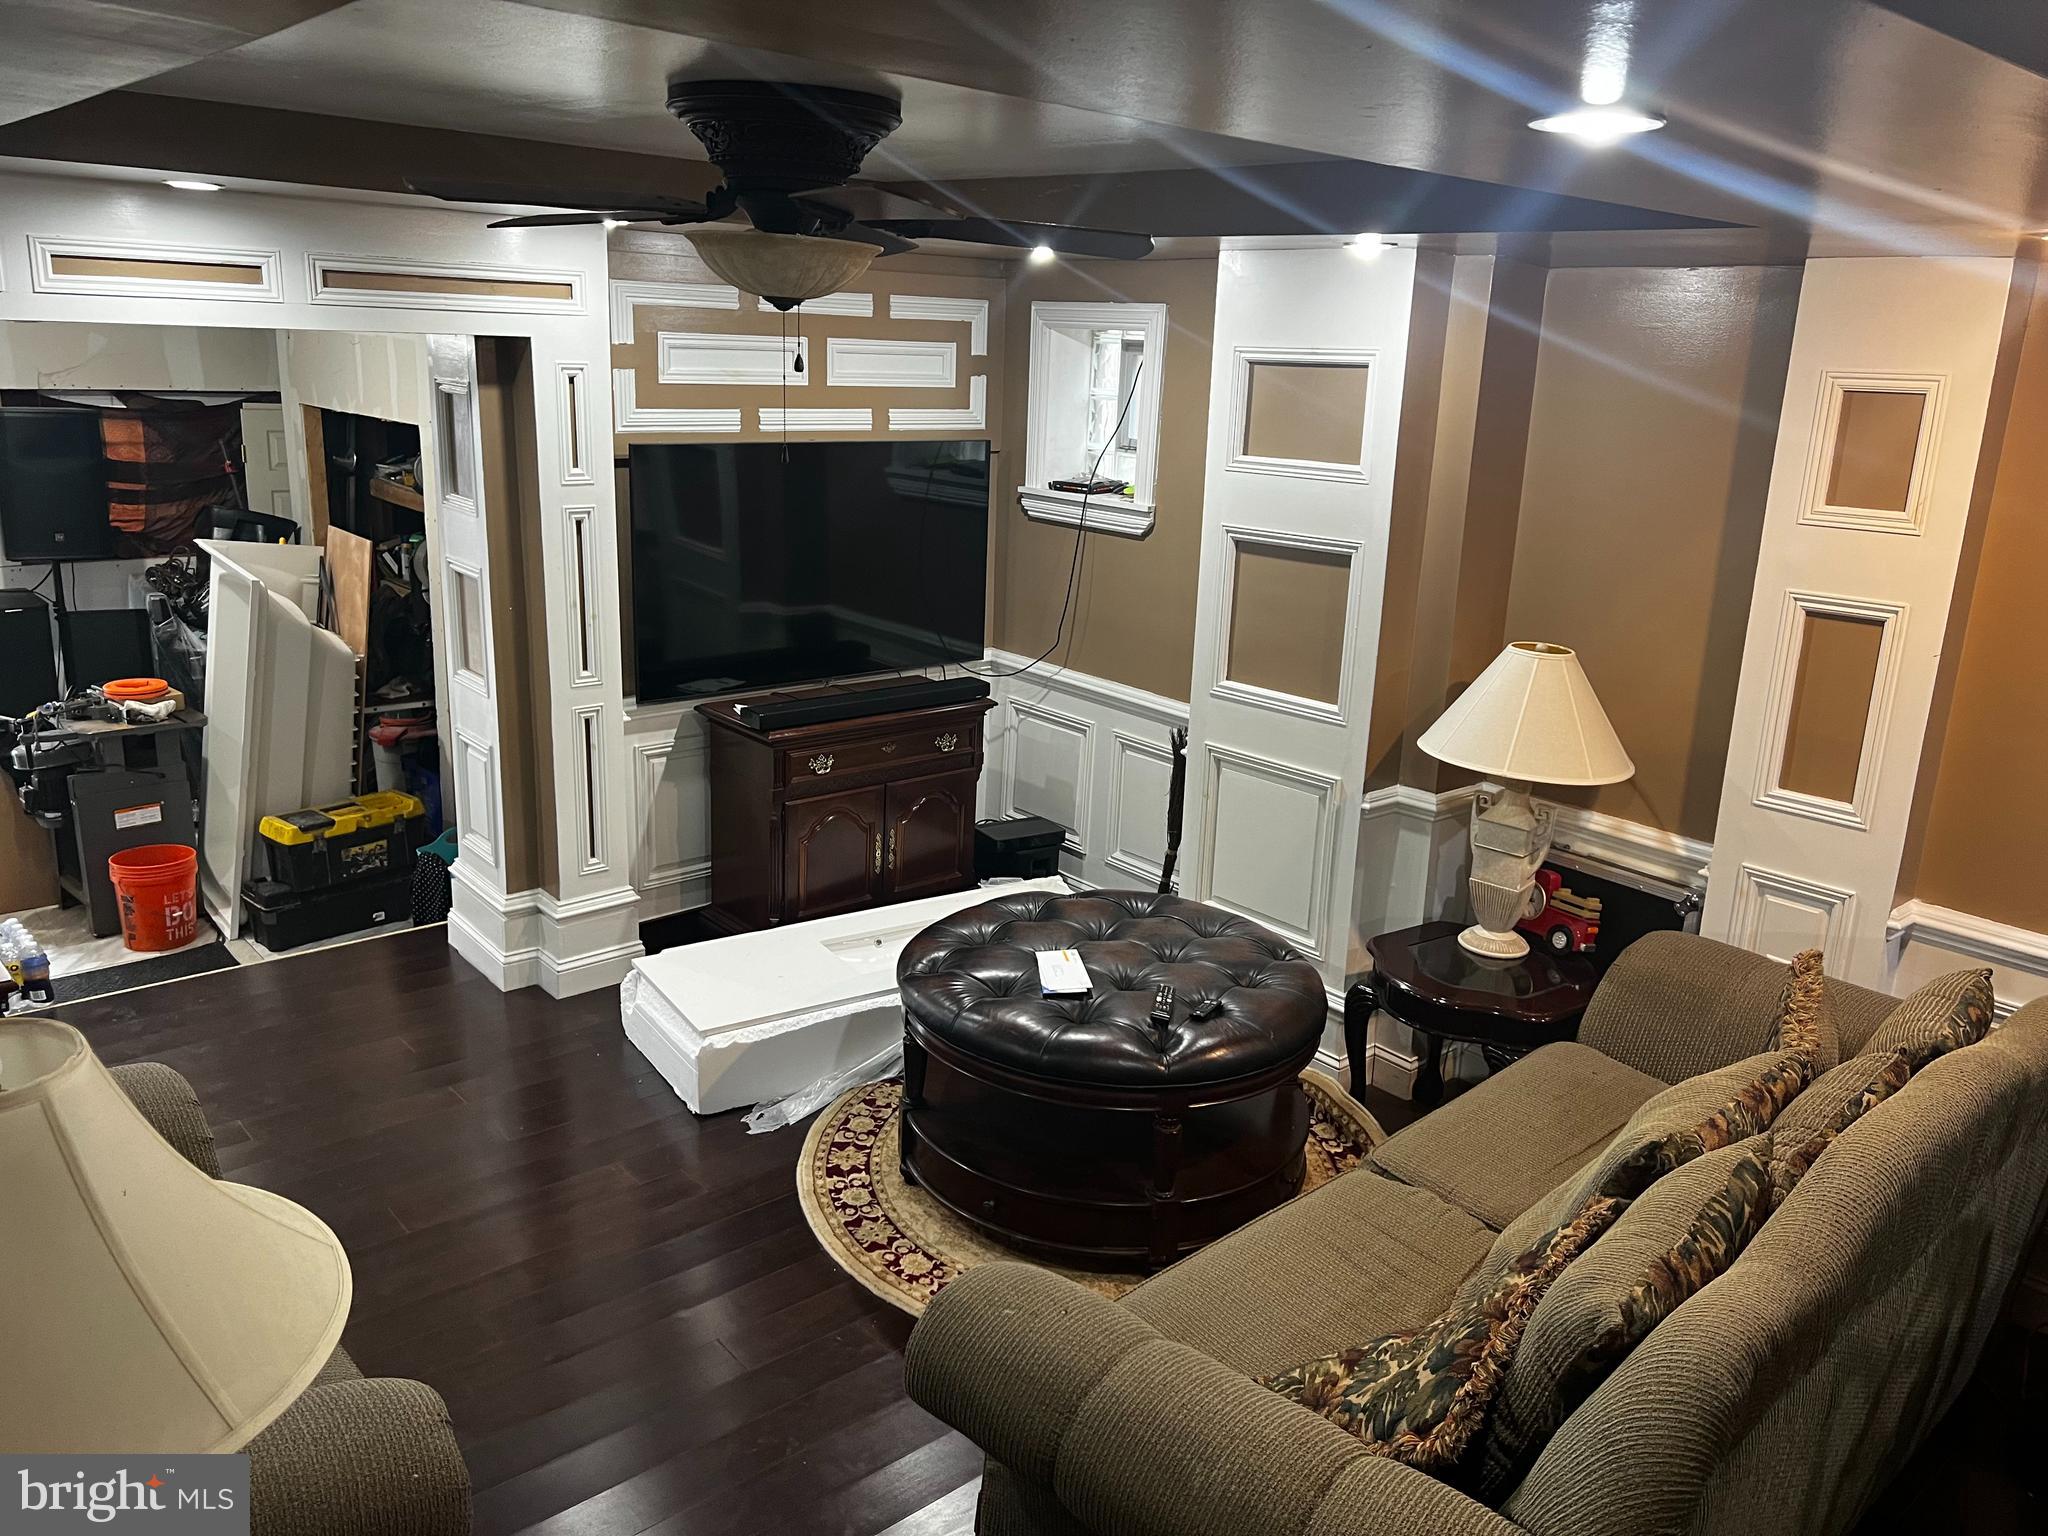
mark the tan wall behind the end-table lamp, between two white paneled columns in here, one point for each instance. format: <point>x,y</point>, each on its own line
<point>1650,454</point>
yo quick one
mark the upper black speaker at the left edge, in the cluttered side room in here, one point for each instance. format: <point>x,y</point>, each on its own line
<point>54,484</point>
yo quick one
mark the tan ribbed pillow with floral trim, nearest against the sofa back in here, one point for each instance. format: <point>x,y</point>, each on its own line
<point>1672,1242</point>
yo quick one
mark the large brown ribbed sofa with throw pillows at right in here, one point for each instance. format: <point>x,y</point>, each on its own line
<point>1779,1400</point>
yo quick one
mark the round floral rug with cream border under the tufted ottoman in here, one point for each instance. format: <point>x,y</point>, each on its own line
<point>906,1246</point>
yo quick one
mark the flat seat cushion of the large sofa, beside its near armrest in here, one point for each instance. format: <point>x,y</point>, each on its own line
<point>1357,1258</point>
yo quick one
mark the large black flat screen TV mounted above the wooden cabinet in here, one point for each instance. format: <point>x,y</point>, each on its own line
<point>767,564</point>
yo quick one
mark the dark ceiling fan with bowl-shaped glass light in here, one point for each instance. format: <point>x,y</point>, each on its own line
<point>787,155</point>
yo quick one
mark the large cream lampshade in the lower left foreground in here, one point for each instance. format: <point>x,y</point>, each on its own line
<point>144,1308</point>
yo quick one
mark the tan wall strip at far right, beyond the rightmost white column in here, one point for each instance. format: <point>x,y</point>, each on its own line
<point>1986,824</point>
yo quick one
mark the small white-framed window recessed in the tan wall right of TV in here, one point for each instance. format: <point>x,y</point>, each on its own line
<point>1043,458</point>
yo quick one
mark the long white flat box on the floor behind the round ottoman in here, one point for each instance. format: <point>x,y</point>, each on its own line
<point>755,1017</point>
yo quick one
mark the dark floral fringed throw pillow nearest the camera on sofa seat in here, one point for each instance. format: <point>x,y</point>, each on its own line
<point>1422,1398</point>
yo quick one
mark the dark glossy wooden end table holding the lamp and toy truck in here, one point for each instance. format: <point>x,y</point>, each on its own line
<point>1441,990</point>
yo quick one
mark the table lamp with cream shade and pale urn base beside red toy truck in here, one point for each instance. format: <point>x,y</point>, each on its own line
<point>1529,718</point>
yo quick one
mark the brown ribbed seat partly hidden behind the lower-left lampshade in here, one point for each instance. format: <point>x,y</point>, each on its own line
<point>351,1455</point>
